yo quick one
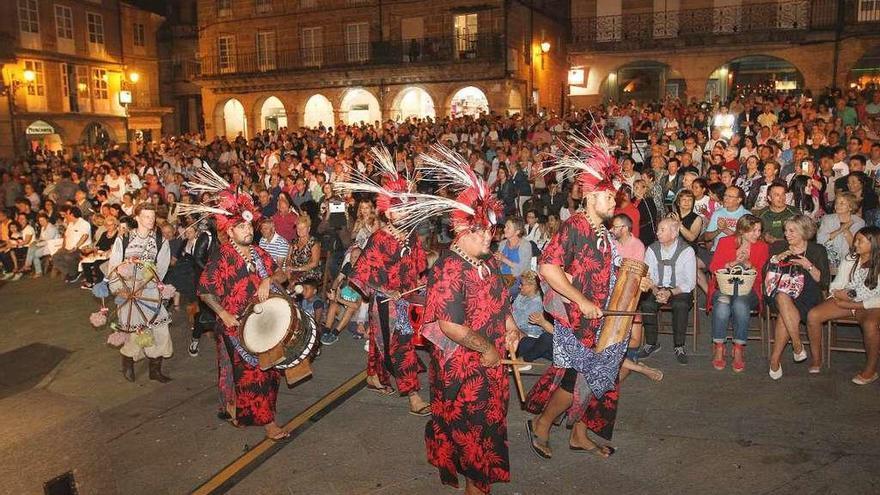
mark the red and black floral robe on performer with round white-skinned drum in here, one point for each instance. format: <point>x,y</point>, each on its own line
<point>249,389</point>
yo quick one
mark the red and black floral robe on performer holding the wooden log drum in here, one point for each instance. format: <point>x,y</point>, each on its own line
<point>575,249</point>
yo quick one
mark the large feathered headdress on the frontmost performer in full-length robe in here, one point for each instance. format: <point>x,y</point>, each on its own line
<point>474,206</point>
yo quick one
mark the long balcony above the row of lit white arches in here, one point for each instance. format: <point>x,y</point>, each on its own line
<point>484,47</point>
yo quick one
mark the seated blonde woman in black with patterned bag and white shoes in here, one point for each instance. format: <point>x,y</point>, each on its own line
<point>796,274</point>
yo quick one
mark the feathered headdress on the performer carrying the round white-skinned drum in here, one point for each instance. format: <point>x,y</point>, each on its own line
<point>229,206</point>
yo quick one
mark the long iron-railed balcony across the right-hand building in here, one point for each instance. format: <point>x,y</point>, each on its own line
<point>745,24</point>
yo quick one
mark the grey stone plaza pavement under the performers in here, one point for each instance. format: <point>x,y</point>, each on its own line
<point>698,431</point>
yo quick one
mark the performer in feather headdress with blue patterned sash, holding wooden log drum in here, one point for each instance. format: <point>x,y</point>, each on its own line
<point>580,265</point>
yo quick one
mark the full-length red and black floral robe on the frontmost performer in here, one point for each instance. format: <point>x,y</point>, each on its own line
<point>467,433</point>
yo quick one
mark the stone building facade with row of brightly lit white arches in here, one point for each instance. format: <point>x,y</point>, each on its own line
<point>274,63</point>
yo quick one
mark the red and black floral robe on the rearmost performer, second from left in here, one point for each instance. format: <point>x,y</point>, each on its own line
<point>382,266</point>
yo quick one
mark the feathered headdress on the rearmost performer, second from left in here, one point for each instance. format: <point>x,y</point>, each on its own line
<point>393,188</point>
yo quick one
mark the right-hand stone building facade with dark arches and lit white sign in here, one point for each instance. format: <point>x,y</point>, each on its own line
<point>648,49</point>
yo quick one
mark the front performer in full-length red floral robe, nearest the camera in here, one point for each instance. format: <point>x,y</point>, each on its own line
<point>468,320</point>
